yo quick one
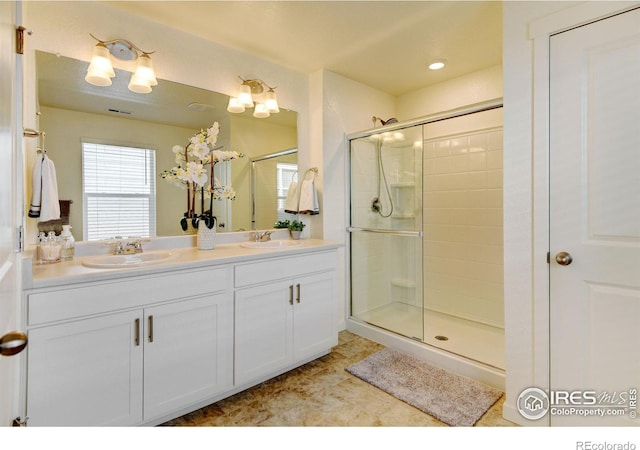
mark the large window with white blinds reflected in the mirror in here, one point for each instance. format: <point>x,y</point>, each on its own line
<point>118,186</point>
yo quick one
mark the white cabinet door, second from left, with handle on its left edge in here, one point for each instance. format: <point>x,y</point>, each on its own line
<point>188,353</point>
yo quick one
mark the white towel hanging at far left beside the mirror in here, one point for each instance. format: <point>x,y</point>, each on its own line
<point>44,201</point>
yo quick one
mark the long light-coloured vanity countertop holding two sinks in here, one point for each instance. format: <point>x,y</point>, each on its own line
<point>71,272</point>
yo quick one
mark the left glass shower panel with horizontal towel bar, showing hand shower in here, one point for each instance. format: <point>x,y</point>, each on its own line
<point>386,230</point>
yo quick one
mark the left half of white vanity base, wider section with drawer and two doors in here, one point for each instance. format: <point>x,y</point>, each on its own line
<point>128,352</point>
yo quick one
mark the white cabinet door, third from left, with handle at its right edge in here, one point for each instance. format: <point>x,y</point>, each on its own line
<point>263,334</point>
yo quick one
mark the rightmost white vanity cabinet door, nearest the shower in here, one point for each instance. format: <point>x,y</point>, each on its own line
<point>314,330</point>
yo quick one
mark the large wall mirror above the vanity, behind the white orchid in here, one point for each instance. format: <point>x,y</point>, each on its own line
<point>72,111</point>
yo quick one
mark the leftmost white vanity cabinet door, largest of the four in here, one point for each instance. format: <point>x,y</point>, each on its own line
<point>86,373</point>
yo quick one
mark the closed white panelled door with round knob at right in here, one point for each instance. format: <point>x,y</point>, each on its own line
<point>595,220</point>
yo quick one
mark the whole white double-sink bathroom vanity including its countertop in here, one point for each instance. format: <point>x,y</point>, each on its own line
<point>142,345</point>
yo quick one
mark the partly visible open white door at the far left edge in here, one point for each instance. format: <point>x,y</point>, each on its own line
<point>10,197</point>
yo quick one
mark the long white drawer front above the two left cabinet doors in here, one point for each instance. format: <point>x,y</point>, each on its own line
<point>96,298</point>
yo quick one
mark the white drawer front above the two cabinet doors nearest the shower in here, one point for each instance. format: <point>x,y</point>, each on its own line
<point>282,268</point>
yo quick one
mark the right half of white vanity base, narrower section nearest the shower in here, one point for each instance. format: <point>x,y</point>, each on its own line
<point>283,314</point>
